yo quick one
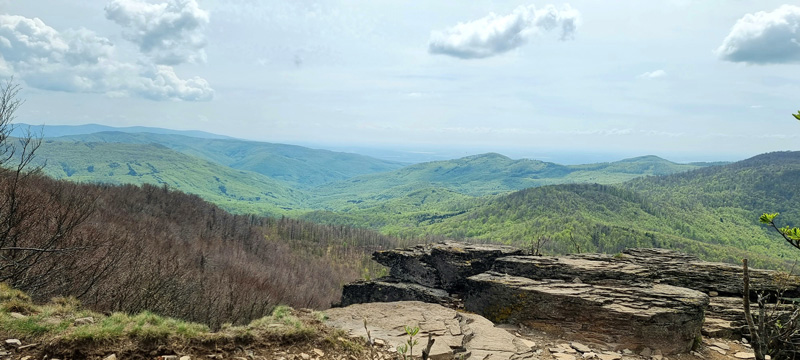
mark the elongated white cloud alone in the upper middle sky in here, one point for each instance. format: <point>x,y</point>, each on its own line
<point>494,34</point>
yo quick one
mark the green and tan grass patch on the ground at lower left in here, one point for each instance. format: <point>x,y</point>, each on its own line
<point>55,322</point>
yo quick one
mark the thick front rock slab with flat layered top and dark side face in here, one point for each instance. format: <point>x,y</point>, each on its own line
<point>658,316</point>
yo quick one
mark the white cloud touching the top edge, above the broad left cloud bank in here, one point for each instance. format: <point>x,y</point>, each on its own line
<point>171,32</point>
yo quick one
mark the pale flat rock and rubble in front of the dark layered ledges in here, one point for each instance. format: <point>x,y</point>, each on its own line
<point>461,335</point>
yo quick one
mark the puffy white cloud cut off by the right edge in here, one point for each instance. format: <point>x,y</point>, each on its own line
<point>764,38</point>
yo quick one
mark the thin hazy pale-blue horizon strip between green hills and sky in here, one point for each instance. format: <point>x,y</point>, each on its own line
<point>422,153</point>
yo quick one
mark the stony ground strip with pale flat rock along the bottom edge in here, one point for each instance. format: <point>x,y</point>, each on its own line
<point>341,336</point>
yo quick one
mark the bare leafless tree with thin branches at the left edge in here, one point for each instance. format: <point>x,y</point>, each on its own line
<point>34,225</point>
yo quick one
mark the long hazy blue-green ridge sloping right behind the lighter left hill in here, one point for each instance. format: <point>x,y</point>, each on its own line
<point>300,166</point>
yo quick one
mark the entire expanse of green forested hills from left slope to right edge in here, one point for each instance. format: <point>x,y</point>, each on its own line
<point>706,208</point>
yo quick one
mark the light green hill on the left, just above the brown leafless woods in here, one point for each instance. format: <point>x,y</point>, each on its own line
<point>237,190</point>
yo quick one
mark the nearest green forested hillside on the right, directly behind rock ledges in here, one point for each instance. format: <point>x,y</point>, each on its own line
<point>712,212</point>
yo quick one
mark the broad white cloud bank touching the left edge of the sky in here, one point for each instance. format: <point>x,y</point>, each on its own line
<point>78,60</point>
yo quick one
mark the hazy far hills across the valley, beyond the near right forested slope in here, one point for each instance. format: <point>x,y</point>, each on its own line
<point>301,178</point>
